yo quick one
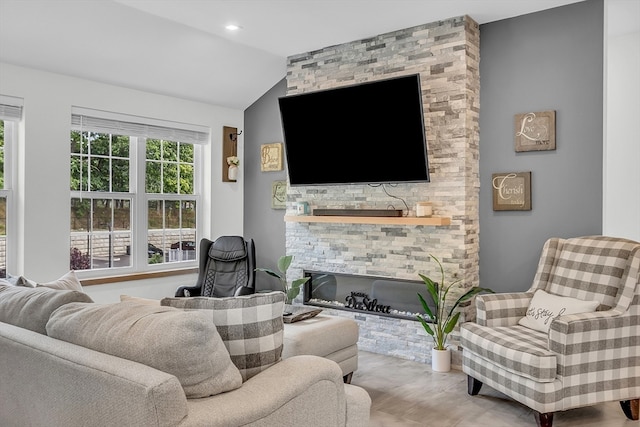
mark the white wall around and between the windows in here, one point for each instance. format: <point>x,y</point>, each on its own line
<point>42,242</point>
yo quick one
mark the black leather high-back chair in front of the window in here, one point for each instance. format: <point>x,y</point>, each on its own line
<point>226,268</point>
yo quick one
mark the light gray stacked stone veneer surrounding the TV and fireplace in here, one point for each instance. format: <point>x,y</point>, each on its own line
<point>446,55</point>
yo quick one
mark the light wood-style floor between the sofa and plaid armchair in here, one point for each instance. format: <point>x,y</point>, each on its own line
<point>406,393</point>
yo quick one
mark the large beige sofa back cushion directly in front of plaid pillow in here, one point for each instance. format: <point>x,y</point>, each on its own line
<point>181,343</point>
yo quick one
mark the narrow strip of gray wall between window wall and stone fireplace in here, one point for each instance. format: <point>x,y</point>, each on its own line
<point>263,224</point>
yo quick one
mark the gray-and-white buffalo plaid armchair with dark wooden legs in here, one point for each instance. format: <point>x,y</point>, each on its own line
<point>585,358</point>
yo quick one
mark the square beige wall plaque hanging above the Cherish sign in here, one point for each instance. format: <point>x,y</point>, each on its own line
<point>535,131</point>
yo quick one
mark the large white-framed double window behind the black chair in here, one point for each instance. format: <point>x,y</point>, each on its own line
<point>135,190</point>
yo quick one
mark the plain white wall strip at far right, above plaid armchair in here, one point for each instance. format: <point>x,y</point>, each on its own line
<point>621,197</point>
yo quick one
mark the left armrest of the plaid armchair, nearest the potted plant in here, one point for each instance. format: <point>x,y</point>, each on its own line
<point>503,309</point>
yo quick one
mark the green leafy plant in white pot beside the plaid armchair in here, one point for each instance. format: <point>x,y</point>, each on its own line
<point>442,319</point>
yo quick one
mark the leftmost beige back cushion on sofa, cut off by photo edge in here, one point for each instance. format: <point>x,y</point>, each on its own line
<point>30,308</point>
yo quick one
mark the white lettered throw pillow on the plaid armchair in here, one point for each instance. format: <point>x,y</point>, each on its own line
<point>545,307</point>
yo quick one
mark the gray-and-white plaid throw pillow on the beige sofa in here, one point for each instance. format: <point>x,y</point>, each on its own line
<point>251,327</point>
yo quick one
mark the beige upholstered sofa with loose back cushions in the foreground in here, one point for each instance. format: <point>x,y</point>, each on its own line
<point>71,380</point>
